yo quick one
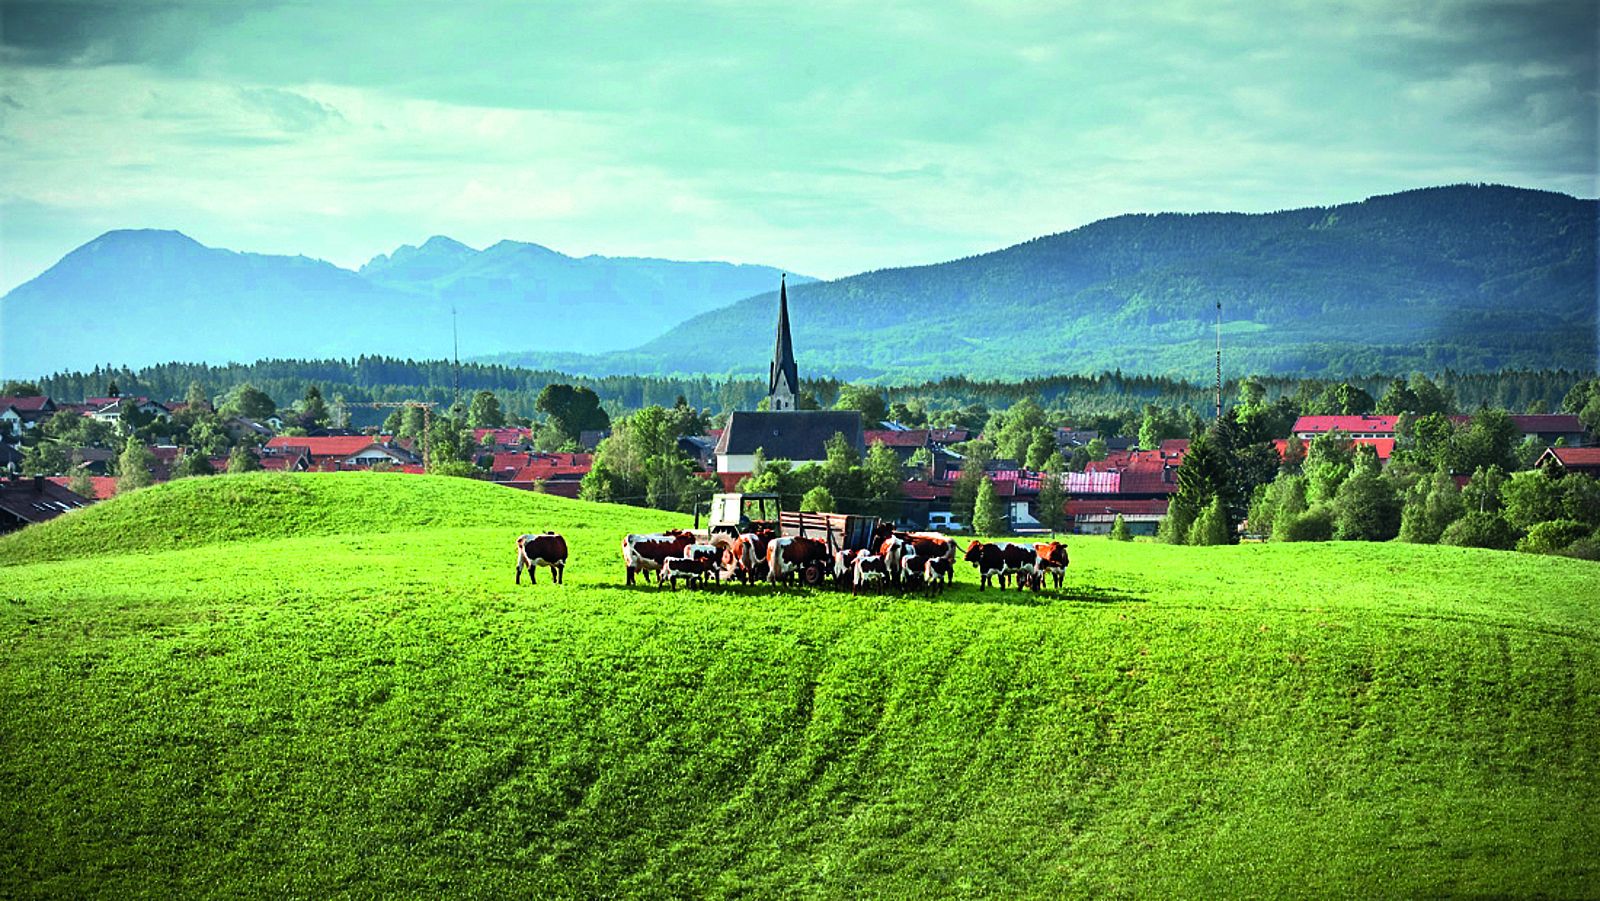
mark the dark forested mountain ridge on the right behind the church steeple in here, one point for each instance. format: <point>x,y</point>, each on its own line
<point>1468,278</point>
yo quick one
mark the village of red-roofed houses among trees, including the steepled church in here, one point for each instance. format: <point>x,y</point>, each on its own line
<point>1114,483</point>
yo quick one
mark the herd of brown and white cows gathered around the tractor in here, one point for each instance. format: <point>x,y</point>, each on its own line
<point>906,561</point>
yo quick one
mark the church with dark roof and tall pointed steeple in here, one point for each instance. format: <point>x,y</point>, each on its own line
<point>782,431</point>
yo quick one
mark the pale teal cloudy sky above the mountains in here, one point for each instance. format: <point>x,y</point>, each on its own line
<point>826,138</point>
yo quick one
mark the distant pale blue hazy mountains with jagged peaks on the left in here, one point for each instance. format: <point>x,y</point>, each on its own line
<point>150,297</point>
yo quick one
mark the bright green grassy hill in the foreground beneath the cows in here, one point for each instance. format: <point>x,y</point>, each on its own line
<point>350,699</point>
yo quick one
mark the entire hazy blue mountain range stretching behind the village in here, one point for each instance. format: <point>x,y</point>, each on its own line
<point>1471,278</point>
